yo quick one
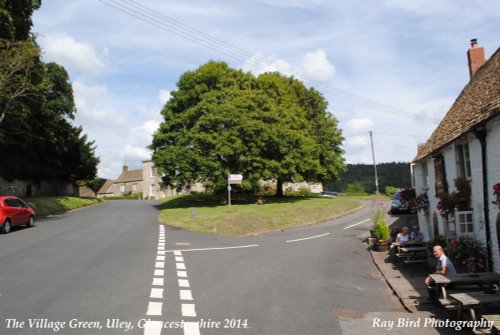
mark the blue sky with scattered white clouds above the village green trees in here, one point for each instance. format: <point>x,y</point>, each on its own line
<point>393,67</point>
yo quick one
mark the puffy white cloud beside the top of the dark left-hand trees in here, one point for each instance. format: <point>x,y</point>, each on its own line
<point>81,56</point>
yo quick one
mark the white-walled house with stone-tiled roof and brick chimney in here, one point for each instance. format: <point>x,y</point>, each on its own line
<point>466,144</point>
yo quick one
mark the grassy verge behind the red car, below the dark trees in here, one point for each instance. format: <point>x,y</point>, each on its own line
<point>44,206</point>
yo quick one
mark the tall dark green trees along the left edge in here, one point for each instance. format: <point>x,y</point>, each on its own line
<point>38,140</point>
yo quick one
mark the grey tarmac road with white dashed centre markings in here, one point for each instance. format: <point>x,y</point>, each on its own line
<point>112,269</point>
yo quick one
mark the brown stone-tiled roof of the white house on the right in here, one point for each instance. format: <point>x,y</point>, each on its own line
<point>478,102</point>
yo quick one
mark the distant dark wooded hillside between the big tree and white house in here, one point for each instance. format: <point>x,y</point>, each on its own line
<point>389,174</point>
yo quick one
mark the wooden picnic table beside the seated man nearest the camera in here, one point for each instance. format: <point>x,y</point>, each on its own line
<point>461,279</point>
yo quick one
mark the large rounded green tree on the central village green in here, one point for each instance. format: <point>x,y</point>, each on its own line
<point>221,120</point>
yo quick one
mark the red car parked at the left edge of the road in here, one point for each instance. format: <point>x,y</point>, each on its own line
<point>15,212</point>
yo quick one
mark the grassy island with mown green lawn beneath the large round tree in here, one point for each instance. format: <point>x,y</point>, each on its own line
<point>245,219</point>
